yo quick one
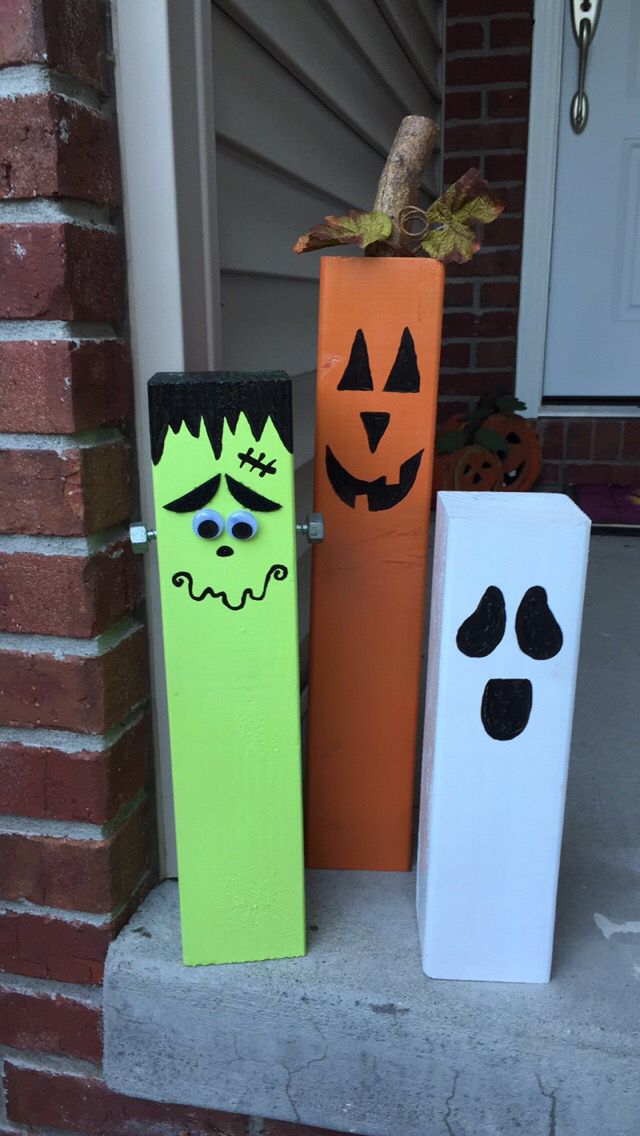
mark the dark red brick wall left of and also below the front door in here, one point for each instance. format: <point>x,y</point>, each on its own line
<point>487,119</point>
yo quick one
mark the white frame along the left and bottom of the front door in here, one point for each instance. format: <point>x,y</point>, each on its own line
<point>541,195</point>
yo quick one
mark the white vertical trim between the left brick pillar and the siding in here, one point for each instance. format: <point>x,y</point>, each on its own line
<point>165,110</point>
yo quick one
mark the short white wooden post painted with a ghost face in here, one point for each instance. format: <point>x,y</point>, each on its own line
<point>492,811</point>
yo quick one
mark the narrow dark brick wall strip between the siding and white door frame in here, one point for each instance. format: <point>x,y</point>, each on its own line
<point>488,46</point>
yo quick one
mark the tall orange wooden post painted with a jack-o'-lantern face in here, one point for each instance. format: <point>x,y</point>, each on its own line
<point>368,594</point>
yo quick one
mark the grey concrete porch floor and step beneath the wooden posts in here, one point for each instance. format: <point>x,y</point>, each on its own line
<point>354,1038</point>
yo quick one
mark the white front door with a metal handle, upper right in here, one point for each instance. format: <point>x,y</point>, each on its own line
<point>594,319</point>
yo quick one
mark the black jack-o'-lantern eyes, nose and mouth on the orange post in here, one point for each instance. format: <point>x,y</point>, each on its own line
<point>403,380</point>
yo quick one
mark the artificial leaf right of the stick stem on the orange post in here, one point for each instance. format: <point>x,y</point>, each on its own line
<point>452,219</point>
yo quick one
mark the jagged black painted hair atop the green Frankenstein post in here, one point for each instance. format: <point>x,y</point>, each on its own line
<point>218,397</point>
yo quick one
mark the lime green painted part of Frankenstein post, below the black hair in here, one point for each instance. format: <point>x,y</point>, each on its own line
<point>234,703</point>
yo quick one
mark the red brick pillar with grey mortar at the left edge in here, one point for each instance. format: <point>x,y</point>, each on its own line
<point>74,811</point>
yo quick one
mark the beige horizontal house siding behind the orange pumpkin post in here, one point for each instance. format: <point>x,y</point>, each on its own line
<point>309,96</point>
